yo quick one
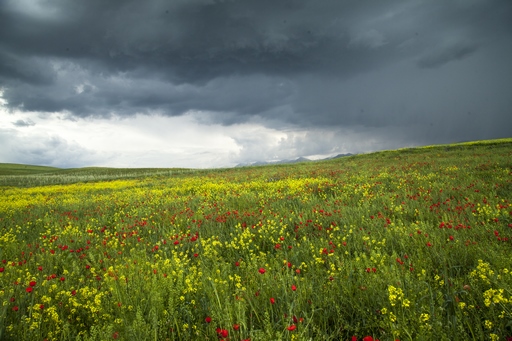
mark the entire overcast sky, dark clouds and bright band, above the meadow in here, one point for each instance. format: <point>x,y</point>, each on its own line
<point>204,83</point>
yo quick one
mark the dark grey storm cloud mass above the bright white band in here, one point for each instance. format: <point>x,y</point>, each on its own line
<point>323,63</point>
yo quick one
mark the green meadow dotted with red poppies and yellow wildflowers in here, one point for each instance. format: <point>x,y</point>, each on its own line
<point>413,244</point>
